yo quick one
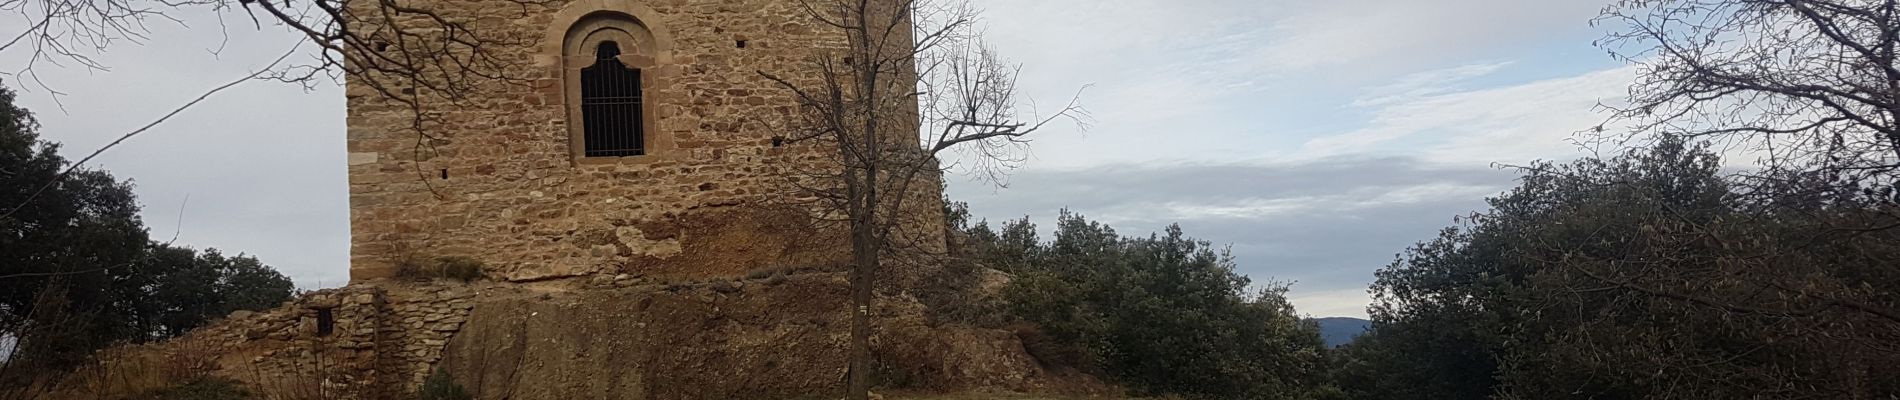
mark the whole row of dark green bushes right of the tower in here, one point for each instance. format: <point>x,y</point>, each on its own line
<point>1652,274</point>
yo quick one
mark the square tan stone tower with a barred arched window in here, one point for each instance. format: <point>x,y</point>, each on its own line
<point>637,149</point>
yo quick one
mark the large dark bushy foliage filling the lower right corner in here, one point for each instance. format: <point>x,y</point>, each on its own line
<point>1646,276</point>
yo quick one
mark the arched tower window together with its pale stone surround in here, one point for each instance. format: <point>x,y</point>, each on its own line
<point>607,60</point>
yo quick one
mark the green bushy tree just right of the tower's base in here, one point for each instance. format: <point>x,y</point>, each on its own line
<point>1164,314</point>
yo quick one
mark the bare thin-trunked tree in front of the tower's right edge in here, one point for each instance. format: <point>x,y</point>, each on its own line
<point>913,84</point>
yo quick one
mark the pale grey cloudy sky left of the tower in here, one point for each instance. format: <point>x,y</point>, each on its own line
<point>257,170</point>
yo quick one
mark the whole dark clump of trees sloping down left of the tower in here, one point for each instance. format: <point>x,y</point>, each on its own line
<point>79,272</point>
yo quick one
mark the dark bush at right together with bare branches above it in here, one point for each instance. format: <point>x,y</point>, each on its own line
<point>1667,272</point>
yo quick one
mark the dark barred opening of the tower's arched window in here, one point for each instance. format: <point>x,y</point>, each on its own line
<point>613,124</point>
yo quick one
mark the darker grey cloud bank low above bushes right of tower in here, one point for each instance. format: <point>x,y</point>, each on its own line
<point>1325,225</point>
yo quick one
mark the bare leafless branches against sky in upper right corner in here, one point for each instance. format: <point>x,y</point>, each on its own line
<point>1814,84</point>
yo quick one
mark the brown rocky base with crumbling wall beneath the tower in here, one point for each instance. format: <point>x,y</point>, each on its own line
<point>780,336</point>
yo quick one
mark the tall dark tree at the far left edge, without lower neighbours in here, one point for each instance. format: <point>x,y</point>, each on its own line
<point>64,249</point>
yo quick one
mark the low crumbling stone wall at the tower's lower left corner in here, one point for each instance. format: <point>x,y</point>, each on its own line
<point>356,342</point>
